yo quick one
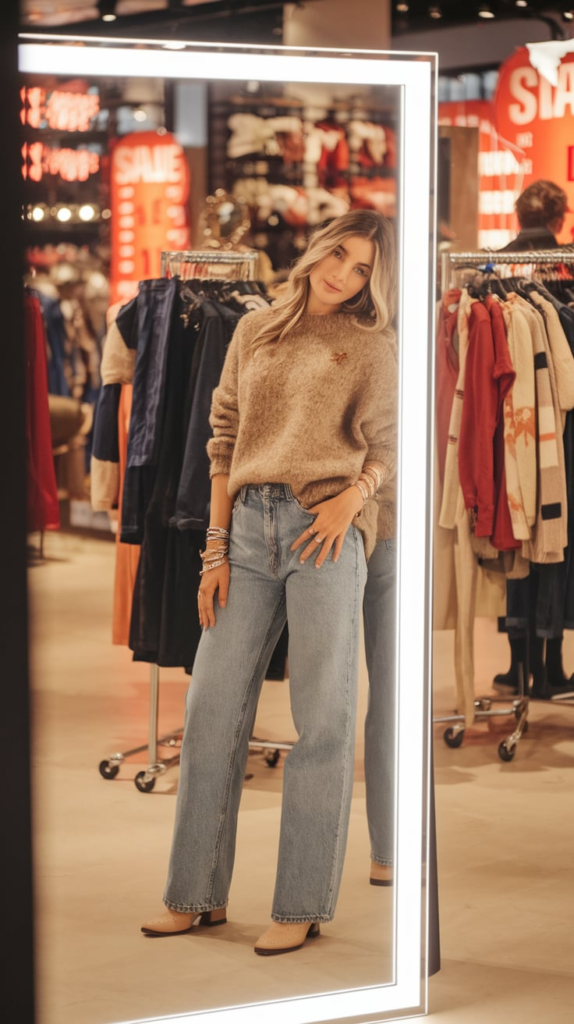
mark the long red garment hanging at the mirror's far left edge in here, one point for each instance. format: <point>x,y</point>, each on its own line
<point>42,503</point>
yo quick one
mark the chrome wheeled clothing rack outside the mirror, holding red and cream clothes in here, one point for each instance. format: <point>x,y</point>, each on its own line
<point>519,705</point>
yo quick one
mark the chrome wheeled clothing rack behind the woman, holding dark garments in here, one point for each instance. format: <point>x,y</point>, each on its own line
<point>187,265</point>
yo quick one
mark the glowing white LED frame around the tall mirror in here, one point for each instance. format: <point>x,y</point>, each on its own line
<point>416,75</point>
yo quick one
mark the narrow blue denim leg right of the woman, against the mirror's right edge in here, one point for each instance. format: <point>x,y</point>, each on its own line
<point>380,732</point>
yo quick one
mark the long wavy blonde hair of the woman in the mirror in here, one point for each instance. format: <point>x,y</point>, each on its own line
<point>374,307</point>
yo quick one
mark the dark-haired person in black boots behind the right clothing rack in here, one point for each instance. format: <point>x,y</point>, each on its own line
<point>541,210</point>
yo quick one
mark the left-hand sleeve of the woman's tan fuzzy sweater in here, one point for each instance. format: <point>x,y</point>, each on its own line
<point>225,416</point>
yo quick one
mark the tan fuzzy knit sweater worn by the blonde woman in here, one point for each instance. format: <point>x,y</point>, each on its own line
<point>311,412</point>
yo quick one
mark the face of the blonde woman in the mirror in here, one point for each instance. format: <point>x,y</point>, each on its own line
<point>341,275</point>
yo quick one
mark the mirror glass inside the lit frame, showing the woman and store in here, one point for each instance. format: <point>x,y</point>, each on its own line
<point>236,405</point>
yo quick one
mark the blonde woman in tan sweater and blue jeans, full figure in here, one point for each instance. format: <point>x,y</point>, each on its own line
<point>304,424</point>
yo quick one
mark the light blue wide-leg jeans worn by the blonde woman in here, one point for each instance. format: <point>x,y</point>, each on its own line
<point>270,586</point>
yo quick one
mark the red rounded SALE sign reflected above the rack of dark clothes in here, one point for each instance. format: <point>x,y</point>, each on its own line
<point>150,204</point>
